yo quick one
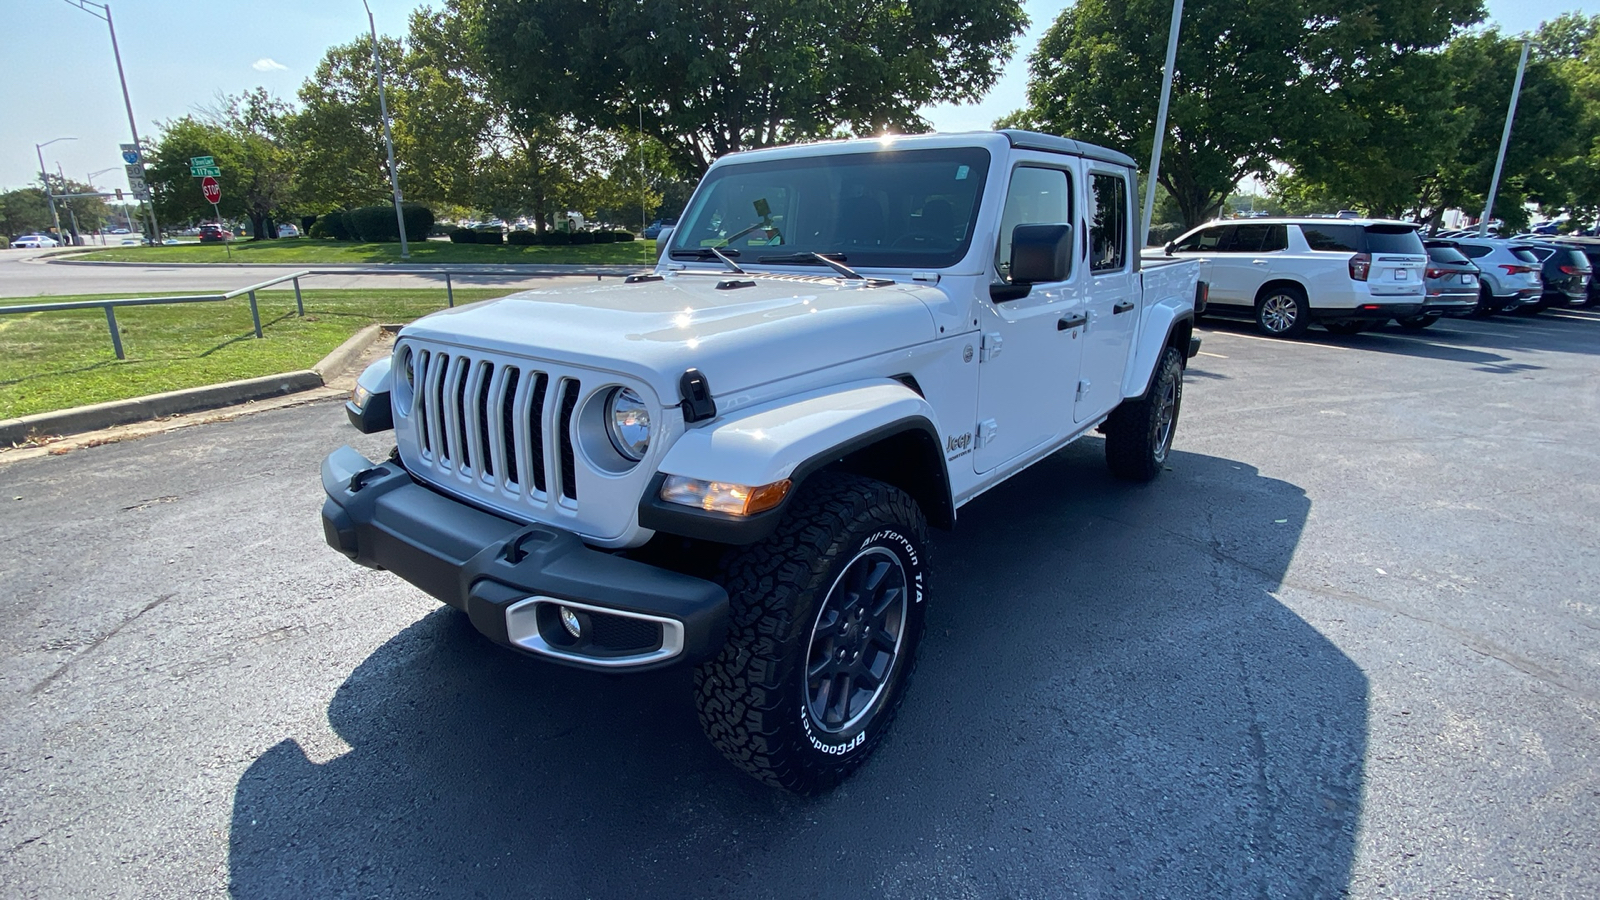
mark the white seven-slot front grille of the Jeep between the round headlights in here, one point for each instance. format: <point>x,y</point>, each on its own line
<point>494,422</point>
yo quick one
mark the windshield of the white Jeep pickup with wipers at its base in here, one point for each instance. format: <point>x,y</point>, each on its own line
<point>892,209</point>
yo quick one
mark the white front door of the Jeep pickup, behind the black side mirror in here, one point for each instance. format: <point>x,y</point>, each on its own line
<point>1031,345</point>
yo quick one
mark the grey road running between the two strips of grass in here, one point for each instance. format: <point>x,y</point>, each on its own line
<point>30,273</point>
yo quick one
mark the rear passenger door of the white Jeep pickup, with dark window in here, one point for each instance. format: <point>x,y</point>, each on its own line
<point>1113,297</point>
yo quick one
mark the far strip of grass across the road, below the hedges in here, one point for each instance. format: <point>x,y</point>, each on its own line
<point>423,252</point>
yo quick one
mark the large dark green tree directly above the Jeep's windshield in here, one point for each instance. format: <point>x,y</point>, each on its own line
<point>721,76</point>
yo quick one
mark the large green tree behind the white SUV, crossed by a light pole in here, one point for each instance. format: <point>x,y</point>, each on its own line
<point>1255,79</point>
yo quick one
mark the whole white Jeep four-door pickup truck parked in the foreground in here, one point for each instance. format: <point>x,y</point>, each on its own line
<point>734,462</point>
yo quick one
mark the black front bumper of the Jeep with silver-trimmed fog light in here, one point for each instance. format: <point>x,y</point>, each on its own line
<point>511,579</point>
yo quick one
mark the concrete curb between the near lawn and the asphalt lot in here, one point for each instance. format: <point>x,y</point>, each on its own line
<point>17,432</point>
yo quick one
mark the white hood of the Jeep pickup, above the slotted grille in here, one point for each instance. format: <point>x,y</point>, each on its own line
<point>652,331</point>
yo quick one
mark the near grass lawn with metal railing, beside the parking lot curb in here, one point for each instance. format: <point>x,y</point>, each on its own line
<point>54,361</point>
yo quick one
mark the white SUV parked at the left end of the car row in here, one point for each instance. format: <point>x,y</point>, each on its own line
<point>1348,275</point>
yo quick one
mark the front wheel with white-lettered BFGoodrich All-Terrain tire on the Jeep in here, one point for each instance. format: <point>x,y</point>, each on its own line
<point>825,624</point>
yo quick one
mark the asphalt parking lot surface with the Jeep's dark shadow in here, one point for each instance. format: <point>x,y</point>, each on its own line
<point>1348,645</point>
